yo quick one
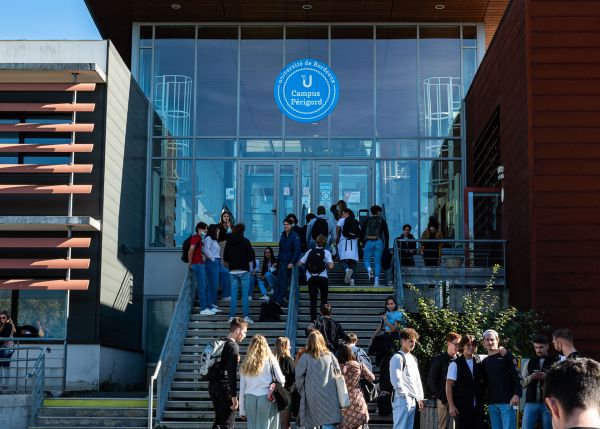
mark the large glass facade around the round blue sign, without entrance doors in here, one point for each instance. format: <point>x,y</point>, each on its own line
<point>211,88</point>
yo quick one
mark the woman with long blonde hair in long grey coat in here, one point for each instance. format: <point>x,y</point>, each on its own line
<point>319,404</point>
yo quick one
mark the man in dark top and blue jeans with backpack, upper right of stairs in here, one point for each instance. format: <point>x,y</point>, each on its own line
<point>375,236</point>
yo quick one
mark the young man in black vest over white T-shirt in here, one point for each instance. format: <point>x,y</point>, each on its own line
<point>464,386</point>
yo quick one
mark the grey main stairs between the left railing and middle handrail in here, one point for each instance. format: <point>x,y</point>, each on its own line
<point>189,405</point>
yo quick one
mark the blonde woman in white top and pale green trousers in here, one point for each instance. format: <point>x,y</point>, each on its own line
<point>256,375</point>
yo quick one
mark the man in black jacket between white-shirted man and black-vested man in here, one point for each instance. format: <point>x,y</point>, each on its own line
<point>436,379</point>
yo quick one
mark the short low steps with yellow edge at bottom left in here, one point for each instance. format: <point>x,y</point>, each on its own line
<point>90,413</point>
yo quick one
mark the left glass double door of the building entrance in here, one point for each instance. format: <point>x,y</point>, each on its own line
<point>269,192</point>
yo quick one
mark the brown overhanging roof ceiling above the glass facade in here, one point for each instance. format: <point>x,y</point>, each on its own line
<point>114,17</point>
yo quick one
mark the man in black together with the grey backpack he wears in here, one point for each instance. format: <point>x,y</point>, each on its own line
<point>221,373</point>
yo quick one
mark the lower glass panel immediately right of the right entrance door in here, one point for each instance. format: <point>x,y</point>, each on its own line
<point>397,189</point>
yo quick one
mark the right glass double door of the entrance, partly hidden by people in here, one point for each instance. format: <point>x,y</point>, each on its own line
<point>348,181</point>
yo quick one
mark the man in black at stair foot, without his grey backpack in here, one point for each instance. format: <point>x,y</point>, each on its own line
<point>223,389</point>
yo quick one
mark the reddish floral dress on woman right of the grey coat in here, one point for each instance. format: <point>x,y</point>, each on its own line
<point>357,414</point>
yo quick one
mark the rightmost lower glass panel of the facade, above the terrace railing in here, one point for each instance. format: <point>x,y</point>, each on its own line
<point>441,196</point>
